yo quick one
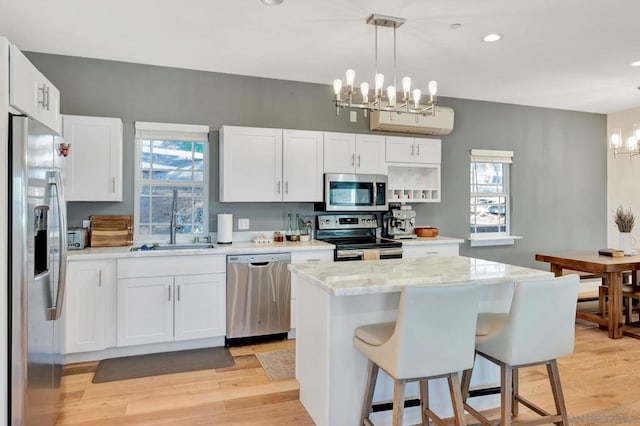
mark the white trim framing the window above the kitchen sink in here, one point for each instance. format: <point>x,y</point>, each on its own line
<point>191,132</point>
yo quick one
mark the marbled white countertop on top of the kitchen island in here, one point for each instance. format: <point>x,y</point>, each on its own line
<point>383,276</point>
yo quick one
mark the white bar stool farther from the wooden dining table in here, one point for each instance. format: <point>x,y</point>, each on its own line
<point>433,337</point>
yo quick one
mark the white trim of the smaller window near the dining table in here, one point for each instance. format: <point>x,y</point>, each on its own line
<point>494,238</point>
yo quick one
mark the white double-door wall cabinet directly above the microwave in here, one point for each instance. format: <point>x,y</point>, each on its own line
<point>352,153</point>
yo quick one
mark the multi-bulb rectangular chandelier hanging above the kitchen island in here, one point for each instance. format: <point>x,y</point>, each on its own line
<point>384,101</point>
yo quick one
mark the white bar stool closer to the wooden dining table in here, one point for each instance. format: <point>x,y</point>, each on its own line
<point>539,329</point>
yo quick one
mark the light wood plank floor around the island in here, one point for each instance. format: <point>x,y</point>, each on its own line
<point>601,383</point>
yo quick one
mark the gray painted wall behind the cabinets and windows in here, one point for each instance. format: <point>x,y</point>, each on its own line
<point>558,175</point>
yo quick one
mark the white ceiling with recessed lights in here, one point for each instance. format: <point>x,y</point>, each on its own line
<point>567,54</point>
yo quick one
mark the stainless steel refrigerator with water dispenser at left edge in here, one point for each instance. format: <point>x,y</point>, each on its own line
<point>37,265</point>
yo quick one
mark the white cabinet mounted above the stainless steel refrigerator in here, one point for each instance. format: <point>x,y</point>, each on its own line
<point>31,92</point>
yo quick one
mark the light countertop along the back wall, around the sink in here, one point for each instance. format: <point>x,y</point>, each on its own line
<point>244,247</point>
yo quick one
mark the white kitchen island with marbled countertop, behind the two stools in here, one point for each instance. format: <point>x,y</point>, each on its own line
<point>335,298</point>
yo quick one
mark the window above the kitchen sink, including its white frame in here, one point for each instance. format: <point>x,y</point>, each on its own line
<point>172,163</point>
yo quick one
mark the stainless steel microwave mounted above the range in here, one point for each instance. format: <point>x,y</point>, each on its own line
<point>353,192</point>
